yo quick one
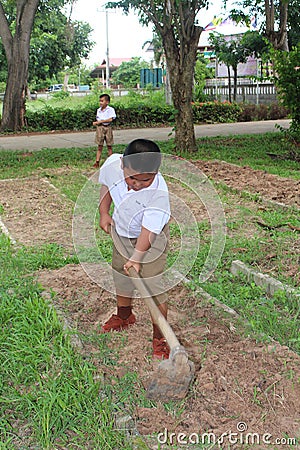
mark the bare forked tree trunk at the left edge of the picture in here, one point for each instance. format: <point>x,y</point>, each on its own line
<point>17,54</point>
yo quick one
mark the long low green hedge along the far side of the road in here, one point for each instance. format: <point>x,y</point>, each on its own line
<point>136,111</point>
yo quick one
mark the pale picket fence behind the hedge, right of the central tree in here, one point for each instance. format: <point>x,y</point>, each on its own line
<point>251,93</point>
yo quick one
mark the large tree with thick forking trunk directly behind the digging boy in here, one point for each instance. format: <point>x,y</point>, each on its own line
<point>175,22</point>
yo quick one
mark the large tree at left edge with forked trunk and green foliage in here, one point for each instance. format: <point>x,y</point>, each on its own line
<point>39,41</point>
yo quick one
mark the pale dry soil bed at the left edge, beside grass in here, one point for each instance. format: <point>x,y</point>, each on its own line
<point>35,212</point>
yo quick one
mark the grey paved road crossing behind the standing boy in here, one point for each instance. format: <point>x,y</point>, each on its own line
<point>86,138</point>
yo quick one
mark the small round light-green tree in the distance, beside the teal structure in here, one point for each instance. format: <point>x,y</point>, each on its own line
<point>128,74</point>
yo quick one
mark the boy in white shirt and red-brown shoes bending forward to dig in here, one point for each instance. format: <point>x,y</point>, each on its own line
<point>140,218</point>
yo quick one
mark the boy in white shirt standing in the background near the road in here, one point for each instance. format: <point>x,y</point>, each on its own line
<point>104,117</point>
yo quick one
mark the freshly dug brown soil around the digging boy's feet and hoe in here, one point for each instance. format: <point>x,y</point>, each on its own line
<point>237,379</point>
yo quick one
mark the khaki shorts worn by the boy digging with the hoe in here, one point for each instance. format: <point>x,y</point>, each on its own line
<point>152,267</point>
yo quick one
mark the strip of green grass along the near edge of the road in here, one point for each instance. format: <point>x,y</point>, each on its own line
<point>241,150</point>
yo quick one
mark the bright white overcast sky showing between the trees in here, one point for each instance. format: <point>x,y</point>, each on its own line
<point>125,35</point>
